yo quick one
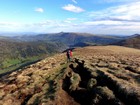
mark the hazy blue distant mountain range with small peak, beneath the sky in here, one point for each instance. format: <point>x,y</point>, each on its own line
<point>71,39</point>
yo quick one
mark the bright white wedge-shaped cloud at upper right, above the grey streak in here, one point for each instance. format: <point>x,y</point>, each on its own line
<point>128,12</point>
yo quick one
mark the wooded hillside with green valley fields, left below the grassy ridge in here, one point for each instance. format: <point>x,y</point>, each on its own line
<point>14,54</point>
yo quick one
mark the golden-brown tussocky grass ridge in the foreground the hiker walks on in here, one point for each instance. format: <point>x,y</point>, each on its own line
<point>99,75</point>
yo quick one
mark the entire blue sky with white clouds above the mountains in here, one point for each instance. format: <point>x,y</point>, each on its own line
<point>114,17</point>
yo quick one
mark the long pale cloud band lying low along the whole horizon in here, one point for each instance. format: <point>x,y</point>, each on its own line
<point>70,25</point>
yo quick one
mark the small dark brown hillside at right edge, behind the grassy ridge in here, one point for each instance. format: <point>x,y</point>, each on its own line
<point>133,41</point>
